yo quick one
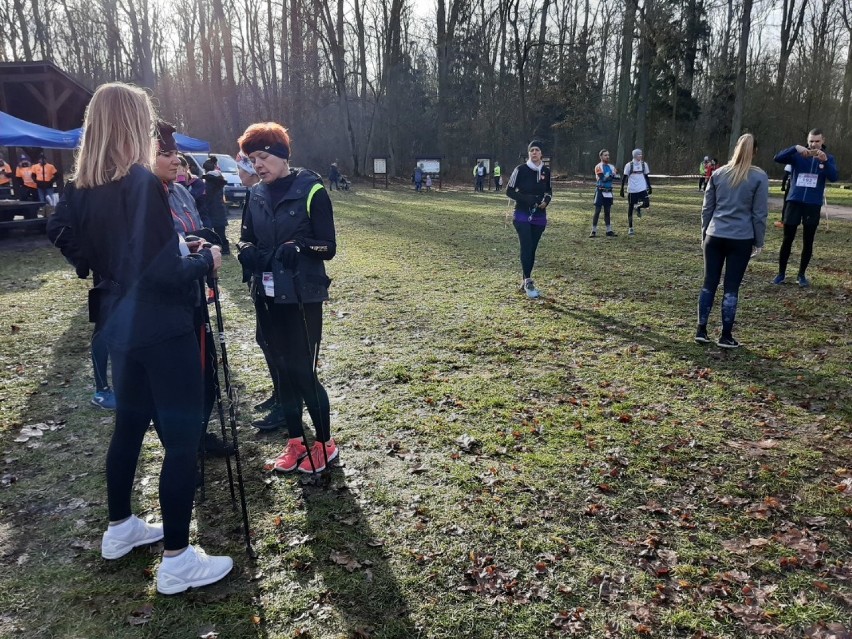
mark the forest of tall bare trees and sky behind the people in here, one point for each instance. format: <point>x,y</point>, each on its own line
<point>353,79</point>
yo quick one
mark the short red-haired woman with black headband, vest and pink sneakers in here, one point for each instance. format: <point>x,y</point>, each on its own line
<point>287,236</point>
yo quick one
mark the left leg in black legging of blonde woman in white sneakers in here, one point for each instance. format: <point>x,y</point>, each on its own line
<point>134,411</point>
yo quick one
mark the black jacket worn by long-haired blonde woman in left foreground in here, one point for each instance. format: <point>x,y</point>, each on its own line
<point>123,231</point>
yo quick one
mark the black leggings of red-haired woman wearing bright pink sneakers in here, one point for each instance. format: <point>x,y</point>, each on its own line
<point>294,354</point>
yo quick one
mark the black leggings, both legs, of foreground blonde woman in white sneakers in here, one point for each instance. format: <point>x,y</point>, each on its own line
<point>163,379</point>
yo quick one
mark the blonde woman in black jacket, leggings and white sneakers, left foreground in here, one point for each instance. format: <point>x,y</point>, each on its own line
<point>115,220</point>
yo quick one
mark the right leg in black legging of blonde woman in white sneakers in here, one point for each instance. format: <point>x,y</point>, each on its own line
<point>174,376</point>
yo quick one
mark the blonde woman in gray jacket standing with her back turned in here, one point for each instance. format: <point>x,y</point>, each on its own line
<point>733,223</point>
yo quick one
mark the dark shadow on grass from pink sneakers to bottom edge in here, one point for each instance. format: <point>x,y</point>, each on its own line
<point>360,582</point>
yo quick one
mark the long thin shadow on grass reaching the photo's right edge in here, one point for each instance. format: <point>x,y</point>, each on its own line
<point>796,385</point>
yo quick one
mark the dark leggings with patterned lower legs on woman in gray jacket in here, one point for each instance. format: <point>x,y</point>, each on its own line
<point>733,255</point>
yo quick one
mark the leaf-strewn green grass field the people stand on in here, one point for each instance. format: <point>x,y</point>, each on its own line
<point>573,466</point>
